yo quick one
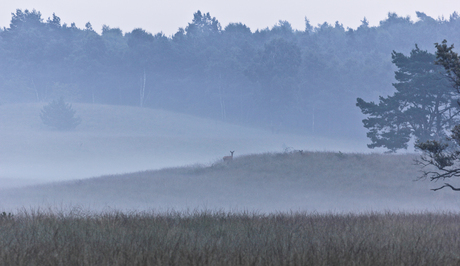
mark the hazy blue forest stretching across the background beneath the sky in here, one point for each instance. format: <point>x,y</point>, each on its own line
<point>277,78</point>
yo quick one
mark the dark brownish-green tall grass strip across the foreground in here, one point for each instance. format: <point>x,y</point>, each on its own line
<point>218,238</point>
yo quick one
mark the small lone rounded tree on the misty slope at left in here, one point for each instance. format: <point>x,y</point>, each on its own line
<point>59,115</point>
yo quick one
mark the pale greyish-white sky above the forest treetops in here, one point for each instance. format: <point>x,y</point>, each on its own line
<point>168,16</point>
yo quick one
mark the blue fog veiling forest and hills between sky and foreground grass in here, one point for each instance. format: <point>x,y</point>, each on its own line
<point>156,114</point>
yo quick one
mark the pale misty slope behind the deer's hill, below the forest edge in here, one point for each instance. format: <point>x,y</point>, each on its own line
<point>121,139</point>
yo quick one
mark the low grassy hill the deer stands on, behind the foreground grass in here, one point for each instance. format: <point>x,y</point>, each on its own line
<point>268,182</point>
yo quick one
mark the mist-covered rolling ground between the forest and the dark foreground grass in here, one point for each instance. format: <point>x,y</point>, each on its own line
<point>142,159</point>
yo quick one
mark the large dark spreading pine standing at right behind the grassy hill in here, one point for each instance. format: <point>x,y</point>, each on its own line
<point>424,106</point>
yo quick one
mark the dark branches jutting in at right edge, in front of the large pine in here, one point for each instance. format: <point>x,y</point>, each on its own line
<point>444,154</point>
